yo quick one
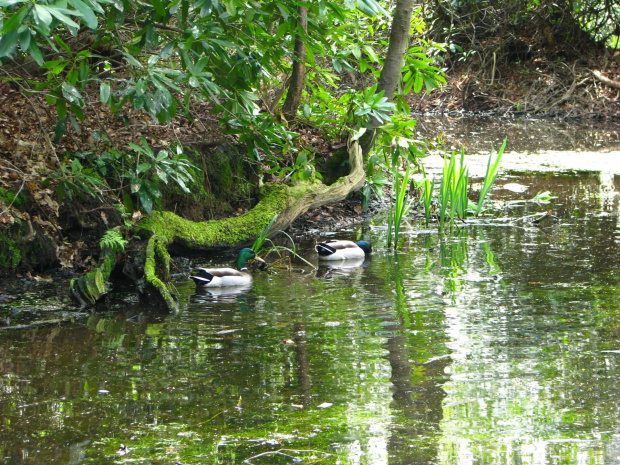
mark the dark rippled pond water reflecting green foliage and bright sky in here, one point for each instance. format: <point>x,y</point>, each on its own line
<point>498,343</point>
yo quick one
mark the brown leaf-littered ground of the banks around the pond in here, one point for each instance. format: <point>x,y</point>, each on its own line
<point>28,154</point>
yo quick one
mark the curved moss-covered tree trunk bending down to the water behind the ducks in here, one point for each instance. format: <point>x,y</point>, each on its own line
<point>165,229</point>
